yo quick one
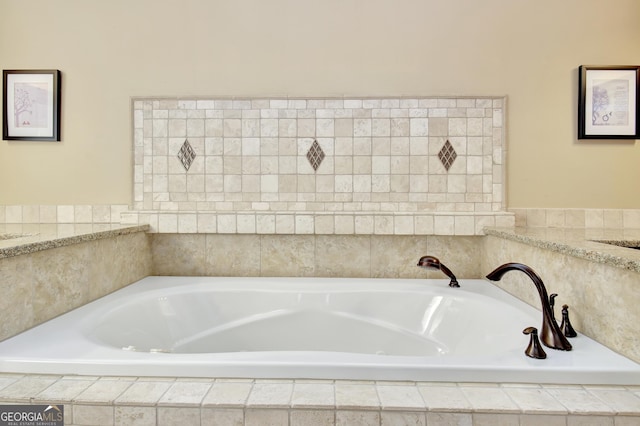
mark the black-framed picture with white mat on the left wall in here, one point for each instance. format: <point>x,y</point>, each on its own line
<point>31,105</point>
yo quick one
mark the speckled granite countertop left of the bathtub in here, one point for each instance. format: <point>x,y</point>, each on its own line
<point>17,239</point>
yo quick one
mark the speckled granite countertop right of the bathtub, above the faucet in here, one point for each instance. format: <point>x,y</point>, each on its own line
<point>607,246</point>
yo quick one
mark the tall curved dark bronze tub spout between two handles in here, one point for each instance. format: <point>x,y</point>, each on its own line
<point>550,334</point>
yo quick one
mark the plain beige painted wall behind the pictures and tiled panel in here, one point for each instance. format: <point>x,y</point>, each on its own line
<point>109,51</point>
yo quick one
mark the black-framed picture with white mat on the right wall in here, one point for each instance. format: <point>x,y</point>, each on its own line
<point>608,105</point>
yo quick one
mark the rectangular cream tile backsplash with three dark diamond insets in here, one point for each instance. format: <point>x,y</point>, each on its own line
<point>295,159</point>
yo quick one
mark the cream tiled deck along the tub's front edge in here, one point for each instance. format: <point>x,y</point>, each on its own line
<point>163,401</point>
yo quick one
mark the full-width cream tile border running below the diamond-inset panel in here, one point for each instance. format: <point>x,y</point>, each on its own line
<point>384,222</point>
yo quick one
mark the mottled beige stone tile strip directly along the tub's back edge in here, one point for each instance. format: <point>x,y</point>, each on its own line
<point>361,256</point>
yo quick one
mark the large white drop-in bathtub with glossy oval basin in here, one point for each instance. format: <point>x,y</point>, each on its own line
<point>368,329</point>
